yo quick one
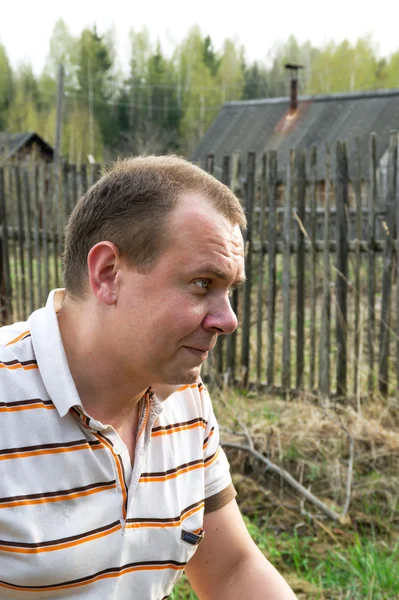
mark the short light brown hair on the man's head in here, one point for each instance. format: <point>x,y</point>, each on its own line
<point>129,206</point>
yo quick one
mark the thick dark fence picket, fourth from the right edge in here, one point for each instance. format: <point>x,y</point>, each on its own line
<point>341,284</point>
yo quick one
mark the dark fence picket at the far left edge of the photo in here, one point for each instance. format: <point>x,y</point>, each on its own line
<point>5,279</point>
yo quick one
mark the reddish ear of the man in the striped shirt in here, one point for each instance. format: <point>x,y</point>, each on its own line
<point>102,264</point>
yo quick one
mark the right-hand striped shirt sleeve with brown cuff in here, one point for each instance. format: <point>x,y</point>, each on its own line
<point>219,489</point>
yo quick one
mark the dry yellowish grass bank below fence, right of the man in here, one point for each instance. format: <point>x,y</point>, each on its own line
<point>312,443</point>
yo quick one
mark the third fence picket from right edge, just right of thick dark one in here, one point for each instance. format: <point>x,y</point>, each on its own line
<point>358,197</point>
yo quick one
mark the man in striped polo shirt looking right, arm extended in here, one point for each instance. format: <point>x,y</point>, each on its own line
<point>112,479</point>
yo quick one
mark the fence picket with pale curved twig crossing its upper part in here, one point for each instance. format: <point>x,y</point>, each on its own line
<point>300,267</point>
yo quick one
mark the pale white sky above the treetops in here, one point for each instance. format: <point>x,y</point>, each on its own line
<point>26,26</point>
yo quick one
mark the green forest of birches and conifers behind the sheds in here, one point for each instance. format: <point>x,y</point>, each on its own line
<point>165,100</point>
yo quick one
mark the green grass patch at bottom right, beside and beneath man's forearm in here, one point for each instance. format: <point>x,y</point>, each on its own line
<point>321,569</point>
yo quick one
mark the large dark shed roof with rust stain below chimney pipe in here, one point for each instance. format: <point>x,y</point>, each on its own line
<point>261,125</point>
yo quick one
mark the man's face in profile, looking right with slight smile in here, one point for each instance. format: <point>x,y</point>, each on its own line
<point>171,317</point>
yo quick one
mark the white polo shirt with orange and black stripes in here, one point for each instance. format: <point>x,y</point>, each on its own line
<point>76,518</point>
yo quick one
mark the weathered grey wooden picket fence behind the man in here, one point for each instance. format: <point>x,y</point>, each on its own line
<point>319,313</point>
